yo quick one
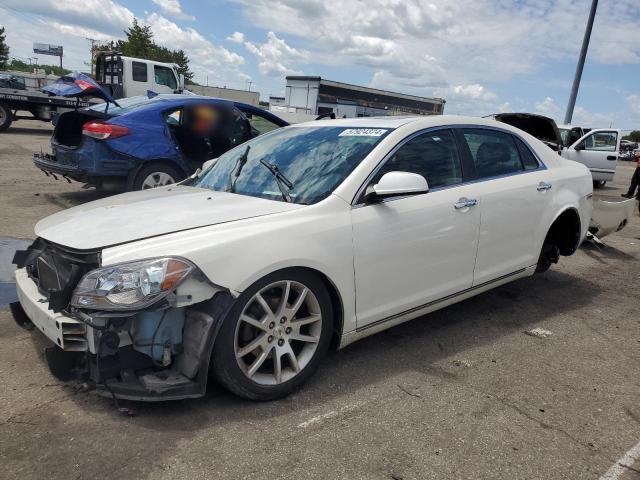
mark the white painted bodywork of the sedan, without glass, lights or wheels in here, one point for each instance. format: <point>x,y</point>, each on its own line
<point>397,259</point>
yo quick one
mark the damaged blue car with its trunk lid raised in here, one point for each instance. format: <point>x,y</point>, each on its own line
<point>144,142</point>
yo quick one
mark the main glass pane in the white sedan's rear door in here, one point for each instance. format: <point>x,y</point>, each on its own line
<point>494,153</point>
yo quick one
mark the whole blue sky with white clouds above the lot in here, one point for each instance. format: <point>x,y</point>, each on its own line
<point>482,56</point>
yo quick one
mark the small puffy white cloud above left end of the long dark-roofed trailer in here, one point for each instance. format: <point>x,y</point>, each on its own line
<point>274,56</point>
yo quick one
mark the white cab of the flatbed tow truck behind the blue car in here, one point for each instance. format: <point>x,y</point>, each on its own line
<point>125,76</point>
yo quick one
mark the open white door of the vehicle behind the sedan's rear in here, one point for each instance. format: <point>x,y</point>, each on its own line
<point>598,150</point>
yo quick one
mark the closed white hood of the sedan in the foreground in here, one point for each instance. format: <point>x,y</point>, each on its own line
<point>149,213</point>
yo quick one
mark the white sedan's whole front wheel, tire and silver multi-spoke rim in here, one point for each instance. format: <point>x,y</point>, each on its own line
<point>275,336</point>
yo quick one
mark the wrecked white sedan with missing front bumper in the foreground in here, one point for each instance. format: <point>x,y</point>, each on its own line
<point>307,237</point>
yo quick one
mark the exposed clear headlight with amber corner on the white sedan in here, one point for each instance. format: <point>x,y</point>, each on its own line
<point>130,285</point>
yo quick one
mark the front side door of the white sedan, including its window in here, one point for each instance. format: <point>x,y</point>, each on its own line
<point>409,251</point>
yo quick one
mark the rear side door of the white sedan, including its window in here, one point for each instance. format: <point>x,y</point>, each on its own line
<point>513,191</point>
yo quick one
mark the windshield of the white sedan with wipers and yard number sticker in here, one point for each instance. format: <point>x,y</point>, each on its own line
<point>311,162</point>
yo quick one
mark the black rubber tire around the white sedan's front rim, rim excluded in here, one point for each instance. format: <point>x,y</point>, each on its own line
<point>224,364</point>
